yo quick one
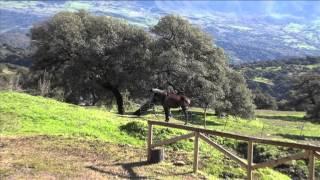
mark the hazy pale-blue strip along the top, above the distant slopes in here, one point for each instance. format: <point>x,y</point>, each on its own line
<point>306,10</point>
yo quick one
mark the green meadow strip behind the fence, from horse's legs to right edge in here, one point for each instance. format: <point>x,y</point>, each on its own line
<point>282,125</point>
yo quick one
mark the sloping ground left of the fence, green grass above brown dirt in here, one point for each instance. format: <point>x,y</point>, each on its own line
<point>87,141</point>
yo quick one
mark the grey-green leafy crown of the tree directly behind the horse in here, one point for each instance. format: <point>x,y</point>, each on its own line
<point>183,50</point>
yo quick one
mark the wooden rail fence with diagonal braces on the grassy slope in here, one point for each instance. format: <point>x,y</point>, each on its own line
<point>309,151</point>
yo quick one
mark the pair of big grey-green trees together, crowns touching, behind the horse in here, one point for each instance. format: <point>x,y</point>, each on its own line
<point>108,54</point>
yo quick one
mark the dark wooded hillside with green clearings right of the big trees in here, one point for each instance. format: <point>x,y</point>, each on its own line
<point>277,79</point>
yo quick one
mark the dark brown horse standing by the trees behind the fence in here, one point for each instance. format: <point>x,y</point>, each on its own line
<point>171,100</point>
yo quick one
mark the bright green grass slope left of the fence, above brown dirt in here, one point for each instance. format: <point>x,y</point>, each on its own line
<point>40,116</point>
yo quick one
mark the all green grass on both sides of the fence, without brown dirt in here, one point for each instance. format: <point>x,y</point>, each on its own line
<point>26,115</point>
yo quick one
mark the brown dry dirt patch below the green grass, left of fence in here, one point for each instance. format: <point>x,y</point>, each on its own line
<point>43,157</point>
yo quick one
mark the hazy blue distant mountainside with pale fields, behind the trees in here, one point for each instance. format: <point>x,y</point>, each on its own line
<point>248,31</point>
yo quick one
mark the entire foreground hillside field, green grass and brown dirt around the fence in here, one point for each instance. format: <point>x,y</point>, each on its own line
<point>59,140</point>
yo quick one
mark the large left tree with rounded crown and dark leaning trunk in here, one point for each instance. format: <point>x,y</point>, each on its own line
<point>88,56</point>
